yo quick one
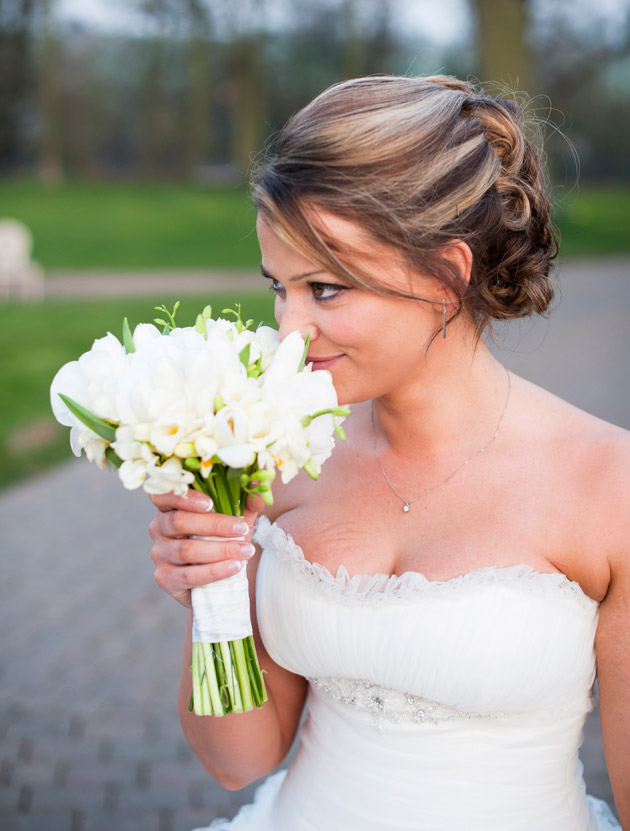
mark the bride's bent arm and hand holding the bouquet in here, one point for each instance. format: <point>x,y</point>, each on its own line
<point>238,748</point>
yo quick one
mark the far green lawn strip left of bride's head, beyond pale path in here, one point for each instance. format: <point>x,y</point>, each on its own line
<point>134,226</point>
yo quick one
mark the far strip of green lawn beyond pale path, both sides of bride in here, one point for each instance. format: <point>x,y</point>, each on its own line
<point>163,226</point>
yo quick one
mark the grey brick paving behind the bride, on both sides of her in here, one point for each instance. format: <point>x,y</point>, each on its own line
<point>89,738</point>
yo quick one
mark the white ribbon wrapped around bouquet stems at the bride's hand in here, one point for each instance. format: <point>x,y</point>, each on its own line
<point>221,610</point>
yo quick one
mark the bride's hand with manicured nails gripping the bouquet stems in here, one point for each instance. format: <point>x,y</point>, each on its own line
<point>183,563</point>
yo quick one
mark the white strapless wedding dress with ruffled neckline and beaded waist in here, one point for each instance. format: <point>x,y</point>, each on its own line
<point>432,706</point>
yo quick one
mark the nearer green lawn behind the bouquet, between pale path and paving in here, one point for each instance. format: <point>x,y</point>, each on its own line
<point>38,338</point>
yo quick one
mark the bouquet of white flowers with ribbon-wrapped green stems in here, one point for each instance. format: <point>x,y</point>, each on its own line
<point>217,407</point>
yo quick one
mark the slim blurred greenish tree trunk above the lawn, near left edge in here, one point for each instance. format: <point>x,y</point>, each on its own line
<point>50,143</point>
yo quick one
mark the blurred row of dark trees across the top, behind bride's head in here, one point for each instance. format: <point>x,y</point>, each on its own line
<point>204,82</point>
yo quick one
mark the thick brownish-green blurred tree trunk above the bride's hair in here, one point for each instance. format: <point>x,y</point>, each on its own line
<point>504,56</point>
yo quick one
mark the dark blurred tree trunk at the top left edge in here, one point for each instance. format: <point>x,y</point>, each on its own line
<point>17,22</point>
